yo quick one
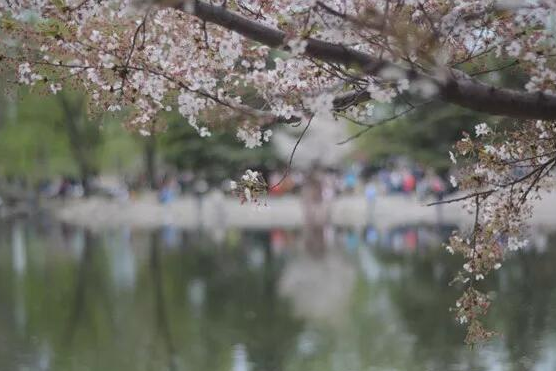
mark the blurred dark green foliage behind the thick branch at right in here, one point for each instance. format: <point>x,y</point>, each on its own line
<point>429,132</point>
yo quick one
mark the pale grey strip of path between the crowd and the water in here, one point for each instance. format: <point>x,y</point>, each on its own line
<point>216,210</point>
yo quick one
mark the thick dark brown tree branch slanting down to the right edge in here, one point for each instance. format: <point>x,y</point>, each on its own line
<point>454,87</point>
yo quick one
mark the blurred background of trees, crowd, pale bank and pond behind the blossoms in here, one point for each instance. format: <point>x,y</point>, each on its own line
<point>128,251</point>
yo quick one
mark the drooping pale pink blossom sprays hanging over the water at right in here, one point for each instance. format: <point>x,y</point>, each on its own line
<point>502,171</point>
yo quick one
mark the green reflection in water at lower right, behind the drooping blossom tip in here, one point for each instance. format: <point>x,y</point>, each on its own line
<point>398,318</point>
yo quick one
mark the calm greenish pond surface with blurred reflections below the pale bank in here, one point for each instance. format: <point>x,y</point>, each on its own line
<point>120,300</point>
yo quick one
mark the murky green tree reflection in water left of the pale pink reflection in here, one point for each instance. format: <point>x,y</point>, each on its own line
<point>68,307</point>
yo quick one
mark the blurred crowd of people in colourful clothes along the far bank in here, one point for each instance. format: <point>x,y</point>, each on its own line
<point>401,177</point>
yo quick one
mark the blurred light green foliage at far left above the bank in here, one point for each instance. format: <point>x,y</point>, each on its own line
<point>37,141</point>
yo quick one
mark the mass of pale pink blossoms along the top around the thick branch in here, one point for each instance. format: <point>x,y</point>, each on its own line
<point>138,57</point>
